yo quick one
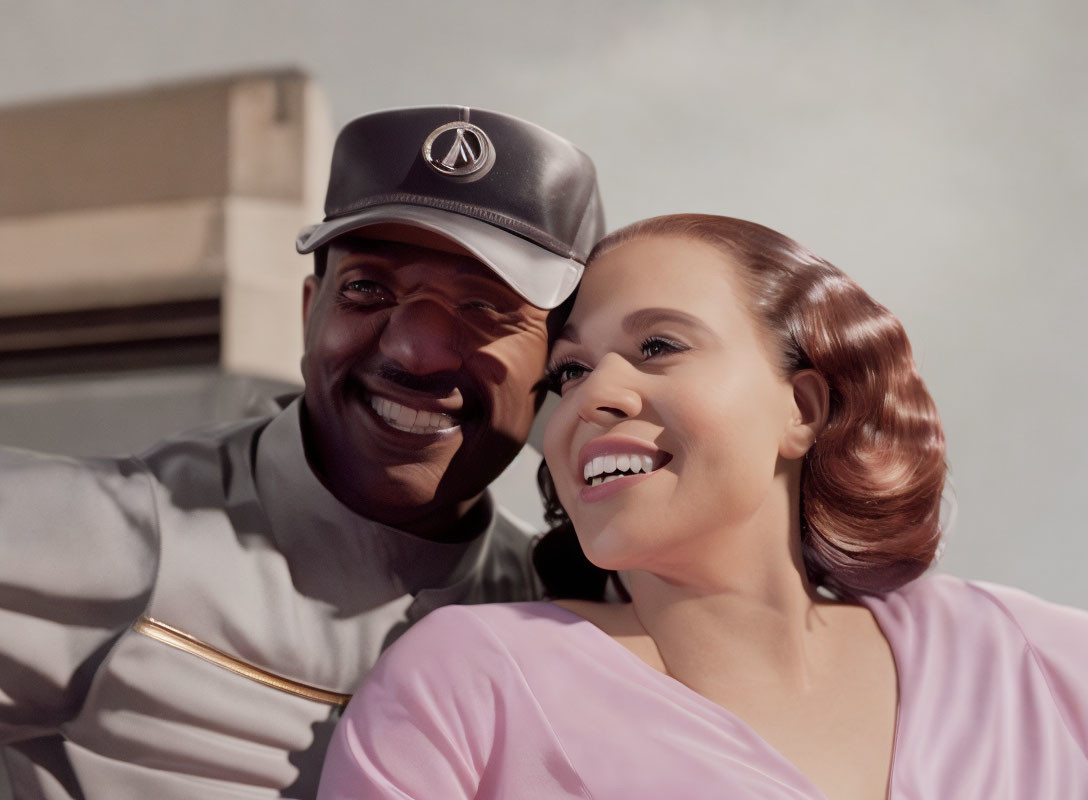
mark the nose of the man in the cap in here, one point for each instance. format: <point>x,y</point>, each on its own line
<point>424,337</point>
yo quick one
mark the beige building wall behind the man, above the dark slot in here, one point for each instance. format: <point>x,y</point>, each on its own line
<point>174,193</point>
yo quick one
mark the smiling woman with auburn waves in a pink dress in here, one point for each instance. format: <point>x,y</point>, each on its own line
<point>744,438</point>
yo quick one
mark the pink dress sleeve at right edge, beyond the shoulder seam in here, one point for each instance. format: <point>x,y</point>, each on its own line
<point>1058,637</point>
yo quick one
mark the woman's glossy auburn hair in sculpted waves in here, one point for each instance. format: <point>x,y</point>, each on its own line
<point>872,483</point>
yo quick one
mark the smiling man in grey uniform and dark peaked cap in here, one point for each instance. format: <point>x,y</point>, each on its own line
<point>189,623</point>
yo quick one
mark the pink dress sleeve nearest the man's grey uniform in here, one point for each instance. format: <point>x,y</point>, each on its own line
<point>423,725</point>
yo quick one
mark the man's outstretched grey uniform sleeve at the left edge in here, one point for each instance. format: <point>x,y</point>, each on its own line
<point>79,550</point>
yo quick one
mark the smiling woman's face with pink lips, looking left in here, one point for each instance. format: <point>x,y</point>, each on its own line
<point>663,367</point>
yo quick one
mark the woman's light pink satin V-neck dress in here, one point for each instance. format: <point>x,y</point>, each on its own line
<point>525,701</point>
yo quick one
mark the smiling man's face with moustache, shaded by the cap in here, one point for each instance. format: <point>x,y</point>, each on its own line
<point>421,370</point>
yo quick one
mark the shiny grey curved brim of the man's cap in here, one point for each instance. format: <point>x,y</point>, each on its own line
<point>543,278</point>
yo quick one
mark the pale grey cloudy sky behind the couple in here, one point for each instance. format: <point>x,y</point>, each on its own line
<point>935,151</point>
